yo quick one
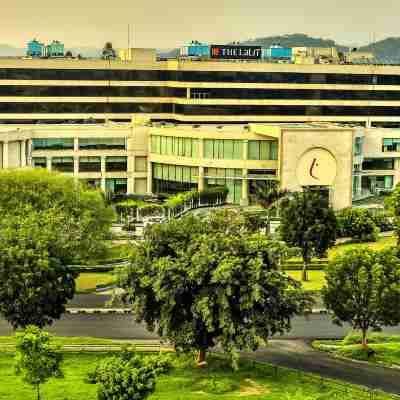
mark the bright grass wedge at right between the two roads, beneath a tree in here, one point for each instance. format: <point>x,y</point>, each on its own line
<point>386,348</point>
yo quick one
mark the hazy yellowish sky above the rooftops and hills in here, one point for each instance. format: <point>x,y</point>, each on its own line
<point>171,23</point>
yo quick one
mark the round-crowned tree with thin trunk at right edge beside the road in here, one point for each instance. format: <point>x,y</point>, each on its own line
<point>363,289</point>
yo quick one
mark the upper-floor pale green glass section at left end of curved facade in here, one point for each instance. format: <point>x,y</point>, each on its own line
<point>175,146</point>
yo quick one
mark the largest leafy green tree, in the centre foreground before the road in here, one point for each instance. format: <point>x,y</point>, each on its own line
<point>202,282</point>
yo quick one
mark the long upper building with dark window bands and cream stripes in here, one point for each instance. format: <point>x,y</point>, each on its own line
<point>60,90</point>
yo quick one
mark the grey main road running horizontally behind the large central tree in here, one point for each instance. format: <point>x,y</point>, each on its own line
<point>116,326</point>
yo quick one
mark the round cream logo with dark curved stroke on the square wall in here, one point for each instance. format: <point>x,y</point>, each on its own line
<point>316,167</point>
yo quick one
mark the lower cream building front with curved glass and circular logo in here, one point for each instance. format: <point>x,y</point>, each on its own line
<point>146,157</point>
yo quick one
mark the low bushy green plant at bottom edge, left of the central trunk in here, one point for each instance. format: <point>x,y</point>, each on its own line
<point>128,379</point>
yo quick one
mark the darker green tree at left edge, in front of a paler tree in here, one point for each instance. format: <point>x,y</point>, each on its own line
<point>35,281</point>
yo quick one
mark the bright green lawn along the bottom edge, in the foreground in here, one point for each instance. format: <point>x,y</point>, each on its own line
<point>183,382</point>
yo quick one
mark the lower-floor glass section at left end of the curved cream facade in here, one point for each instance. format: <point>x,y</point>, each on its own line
<point>174,178</point>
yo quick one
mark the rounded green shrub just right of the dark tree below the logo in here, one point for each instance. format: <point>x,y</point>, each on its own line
<point>357,223</point>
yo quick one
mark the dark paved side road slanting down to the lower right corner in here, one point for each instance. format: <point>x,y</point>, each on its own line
<point>299,355</point>
